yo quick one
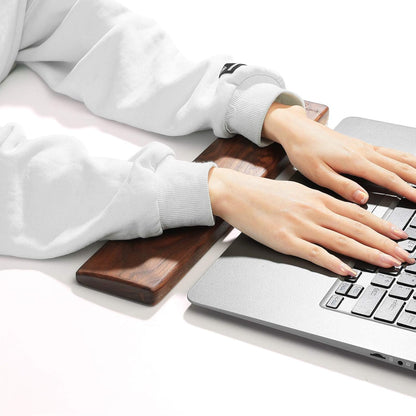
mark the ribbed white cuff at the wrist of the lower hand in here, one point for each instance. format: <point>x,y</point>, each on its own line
<point>183,195</point>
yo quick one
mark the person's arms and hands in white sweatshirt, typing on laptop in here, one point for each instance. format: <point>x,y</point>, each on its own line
<point>56,198</point>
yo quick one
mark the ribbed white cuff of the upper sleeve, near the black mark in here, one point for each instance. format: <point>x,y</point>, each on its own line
<point>249,105</point>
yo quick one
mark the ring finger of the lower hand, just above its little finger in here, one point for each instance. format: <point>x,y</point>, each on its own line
<point>342,244</point>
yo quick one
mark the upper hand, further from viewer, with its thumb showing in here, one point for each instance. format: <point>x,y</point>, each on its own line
<point>322,154</point>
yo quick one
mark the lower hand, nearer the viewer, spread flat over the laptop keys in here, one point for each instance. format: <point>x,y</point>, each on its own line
<point>296,220</point>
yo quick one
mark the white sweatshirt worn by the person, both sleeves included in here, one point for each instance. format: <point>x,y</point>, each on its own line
<point>54,197</point>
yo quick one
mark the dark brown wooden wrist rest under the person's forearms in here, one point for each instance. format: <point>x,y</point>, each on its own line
<point>145,270</point>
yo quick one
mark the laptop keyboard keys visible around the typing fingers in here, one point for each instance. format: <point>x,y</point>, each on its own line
<point>386,296</point>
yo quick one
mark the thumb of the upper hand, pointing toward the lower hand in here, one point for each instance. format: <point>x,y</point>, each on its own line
<point>345,187</point>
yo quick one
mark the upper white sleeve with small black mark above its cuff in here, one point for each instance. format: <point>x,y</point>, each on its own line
<point>126,68</point>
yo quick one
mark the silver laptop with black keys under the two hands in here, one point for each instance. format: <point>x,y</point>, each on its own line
<point>373,315</point>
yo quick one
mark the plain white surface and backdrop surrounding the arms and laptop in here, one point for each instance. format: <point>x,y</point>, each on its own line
<point>68,350</point>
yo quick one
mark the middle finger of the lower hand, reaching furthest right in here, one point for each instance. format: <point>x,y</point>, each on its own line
<point>365,235</point>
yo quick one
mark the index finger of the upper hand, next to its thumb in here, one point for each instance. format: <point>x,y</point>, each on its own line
<point>385,178</point>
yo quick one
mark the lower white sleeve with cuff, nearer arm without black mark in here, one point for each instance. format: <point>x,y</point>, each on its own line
<point>55,198</point>
